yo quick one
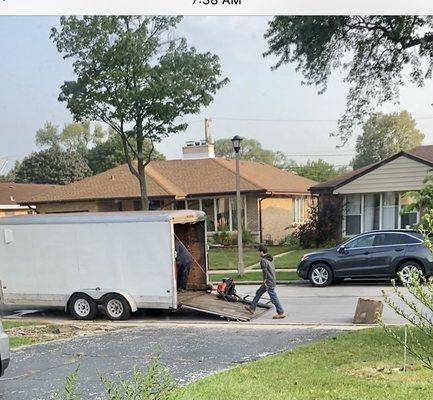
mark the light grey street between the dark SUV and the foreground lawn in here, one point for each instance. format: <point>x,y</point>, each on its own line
<point>330,306</point>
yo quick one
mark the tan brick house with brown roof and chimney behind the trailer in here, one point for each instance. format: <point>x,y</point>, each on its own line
<point>274,200</point>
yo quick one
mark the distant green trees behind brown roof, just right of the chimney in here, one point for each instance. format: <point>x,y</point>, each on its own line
<point>251,150</point>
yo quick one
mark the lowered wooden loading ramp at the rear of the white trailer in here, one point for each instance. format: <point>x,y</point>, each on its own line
<point>210,304</point>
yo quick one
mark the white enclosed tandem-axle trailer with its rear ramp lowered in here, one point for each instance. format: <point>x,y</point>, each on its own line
<point>120,261</point>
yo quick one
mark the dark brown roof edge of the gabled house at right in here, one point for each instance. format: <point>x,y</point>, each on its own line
<point>423,154</point>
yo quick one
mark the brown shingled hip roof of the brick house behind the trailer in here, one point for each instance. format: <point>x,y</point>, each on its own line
<point>179,179</point>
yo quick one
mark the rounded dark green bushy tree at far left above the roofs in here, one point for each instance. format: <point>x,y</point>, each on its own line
<point>53,166</point>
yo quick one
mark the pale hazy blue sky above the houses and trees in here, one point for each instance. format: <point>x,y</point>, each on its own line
<point>257,103</point>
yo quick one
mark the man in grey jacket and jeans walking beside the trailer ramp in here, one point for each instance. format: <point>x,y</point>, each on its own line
<point>269,283</point>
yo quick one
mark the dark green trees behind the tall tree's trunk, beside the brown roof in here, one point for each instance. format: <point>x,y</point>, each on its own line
<point>109,154</point>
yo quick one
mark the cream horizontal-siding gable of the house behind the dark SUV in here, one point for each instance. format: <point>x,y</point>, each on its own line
<point>403,173</point>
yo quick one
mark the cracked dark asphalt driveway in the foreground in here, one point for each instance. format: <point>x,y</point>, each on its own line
<point>190,352</point>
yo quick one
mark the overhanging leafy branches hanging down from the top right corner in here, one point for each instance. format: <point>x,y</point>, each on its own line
<point>376,53</point>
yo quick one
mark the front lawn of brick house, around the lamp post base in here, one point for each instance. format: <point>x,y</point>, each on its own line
<point>228,258</point>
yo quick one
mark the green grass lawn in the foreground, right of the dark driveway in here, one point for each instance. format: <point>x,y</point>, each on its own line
<point>360,365</point>
